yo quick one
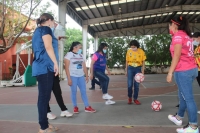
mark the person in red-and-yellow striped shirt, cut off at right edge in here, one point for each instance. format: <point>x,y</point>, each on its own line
<point>196,42</point>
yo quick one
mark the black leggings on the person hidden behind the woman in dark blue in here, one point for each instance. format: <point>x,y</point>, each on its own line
<point>58,94</point>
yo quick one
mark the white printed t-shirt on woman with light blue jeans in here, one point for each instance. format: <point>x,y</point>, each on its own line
<point>76,64</point>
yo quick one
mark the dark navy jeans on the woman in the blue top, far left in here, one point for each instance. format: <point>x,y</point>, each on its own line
<point>45,84</point>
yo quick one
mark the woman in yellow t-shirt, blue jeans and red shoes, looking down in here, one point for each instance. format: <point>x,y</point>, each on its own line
<point>135,63</point>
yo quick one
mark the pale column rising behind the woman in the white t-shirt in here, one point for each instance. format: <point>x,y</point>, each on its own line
<point>84,31</point>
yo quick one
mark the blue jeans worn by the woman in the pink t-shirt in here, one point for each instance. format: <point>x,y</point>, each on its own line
<point>184,81</point>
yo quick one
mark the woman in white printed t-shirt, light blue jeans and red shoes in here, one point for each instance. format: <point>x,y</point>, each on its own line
<point>76,69</point>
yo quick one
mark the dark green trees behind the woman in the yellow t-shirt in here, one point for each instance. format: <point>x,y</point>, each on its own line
<point>156,48</point>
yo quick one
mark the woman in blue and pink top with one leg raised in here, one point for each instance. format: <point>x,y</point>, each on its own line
<point>97,69</point>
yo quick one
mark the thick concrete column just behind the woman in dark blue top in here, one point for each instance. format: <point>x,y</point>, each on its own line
<point>62,19</point>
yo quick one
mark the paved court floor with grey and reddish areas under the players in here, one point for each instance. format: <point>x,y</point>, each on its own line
<point>19,110</point>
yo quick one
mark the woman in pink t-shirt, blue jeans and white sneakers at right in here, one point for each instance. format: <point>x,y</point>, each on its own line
<point>184,68</point>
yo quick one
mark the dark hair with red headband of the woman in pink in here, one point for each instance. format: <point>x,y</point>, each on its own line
<point>182,24</point>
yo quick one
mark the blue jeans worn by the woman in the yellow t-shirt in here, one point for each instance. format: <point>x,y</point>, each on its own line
<point>132,71</point>
